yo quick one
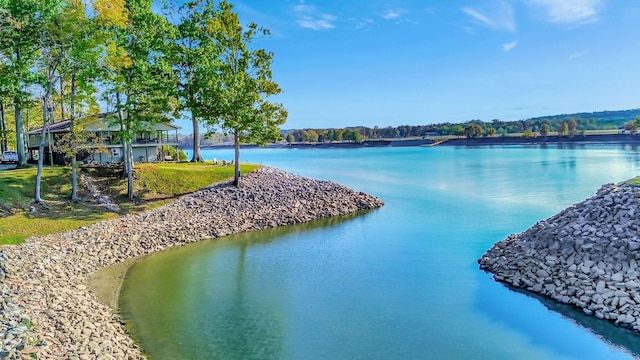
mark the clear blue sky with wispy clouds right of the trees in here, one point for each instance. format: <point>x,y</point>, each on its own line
<point>396,62</point>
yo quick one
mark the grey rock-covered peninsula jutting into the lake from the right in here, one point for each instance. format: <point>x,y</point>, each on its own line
<point>588,256</point>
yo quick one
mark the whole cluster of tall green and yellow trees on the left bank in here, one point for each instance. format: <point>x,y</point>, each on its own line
<point>135,64</point>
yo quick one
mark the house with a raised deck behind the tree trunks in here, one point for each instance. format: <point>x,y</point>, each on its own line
<point>103,142</point>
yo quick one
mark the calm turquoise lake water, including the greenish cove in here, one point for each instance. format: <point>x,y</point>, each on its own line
<point>400,282</point>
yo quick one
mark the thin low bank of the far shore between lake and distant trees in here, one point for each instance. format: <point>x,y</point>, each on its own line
<point>623,139</point>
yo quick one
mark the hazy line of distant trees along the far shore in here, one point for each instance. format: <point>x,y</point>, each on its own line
<point>561,125</point>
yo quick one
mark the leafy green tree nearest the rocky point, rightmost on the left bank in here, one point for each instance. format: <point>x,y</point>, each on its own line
<point>238,104</point>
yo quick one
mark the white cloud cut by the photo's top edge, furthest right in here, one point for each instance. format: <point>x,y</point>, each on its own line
<point>570,11</point>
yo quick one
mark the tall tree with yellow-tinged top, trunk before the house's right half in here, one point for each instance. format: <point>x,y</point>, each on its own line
<point>139,79</point>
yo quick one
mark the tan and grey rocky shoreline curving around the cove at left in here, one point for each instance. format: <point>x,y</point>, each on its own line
<point>46,308</point>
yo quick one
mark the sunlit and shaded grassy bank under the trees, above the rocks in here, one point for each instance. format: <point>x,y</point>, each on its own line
<point>155,185</point>
